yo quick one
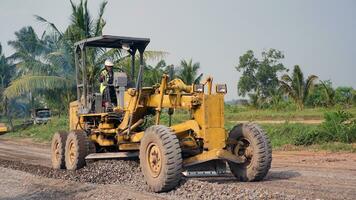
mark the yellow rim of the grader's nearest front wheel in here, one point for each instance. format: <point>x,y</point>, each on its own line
<point>154,159</point>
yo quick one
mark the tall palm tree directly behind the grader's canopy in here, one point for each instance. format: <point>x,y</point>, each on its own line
<point>83,26</point>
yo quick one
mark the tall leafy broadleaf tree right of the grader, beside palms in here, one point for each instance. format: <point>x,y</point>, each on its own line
<point>260,77</point>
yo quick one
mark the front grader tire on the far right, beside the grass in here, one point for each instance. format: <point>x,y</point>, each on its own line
<point>256,147</point>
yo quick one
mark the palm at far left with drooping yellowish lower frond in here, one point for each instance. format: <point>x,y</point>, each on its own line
<point>34,71</point>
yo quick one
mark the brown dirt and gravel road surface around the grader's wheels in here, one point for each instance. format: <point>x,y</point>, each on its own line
<point>294,175</point>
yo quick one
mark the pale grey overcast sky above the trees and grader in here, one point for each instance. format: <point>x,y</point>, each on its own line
<point>318,35</point>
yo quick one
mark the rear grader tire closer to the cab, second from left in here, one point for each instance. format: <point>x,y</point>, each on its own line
<point>77,148</point>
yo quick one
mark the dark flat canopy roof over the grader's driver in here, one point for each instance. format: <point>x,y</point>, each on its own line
<point>111,41</point>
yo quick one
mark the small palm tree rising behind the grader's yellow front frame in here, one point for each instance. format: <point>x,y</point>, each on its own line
<point>188,72</point>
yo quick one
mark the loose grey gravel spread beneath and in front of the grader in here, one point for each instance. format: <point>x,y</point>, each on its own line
<point>128,173</point>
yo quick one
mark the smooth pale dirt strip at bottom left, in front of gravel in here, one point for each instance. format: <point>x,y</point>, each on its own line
<point>20,185</point>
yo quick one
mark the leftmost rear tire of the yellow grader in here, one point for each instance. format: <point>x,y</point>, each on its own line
<point>58,149</point>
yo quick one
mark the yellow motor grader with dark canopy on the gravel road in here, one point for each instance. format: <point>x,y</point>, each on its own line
<point>164,151</point>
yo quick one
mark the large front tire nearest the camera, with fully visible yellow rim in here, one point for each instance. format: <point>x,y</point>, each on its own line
<point>161,158</point>
